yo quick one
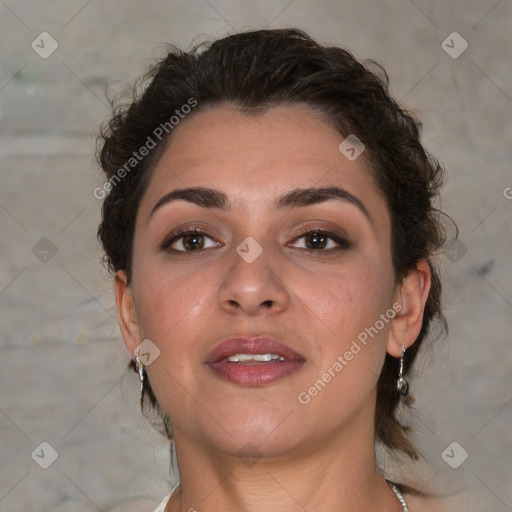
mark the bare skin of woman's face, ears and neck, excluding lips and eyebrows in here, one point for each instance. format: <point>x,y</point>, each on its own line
<point>318,456</point>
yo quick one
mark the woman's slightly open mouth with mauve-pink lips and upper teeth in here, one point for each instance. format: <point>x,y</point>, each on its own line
<point>253,361</point>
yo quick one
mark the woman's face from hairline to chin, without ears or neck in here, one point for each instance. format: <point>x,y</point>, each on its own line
<point>256,271</point>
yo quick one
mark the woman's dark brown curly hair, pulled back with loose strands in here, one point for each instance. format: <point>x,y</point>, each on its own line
<point>255,71</point>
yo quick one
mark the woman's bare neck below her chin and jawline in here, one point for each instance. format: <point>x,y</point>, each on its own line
<point>334,475</point>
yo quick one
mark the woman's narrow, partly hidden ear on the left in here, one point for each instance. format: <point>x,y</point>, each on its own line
<point>126,312</point>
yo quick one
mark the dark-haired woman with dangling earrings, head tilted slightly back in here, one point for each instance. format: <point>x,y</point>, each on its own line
<point>270,222</point>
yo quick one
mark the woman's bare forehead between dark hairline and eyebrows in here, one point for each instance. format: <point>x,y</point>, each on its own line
<point>261,156</point>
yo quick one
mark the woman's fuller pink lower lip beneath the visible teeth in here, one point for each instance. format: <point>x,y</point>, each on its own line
<point>256,374</point>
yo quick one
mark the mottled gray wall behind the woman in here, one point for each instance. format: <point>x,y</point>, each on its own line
<point>63,375</point>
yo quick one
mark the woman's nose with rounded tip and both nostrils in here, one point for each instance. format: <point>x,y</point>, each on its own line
<point>255,287</point>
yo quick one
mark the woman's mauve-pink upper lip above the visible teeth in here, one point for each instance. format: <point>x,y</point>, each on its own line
<point>251,345</point>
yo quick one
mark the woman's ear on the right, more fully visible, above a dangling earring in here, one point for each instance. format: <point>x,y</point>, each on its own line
<point>411,294</point>
